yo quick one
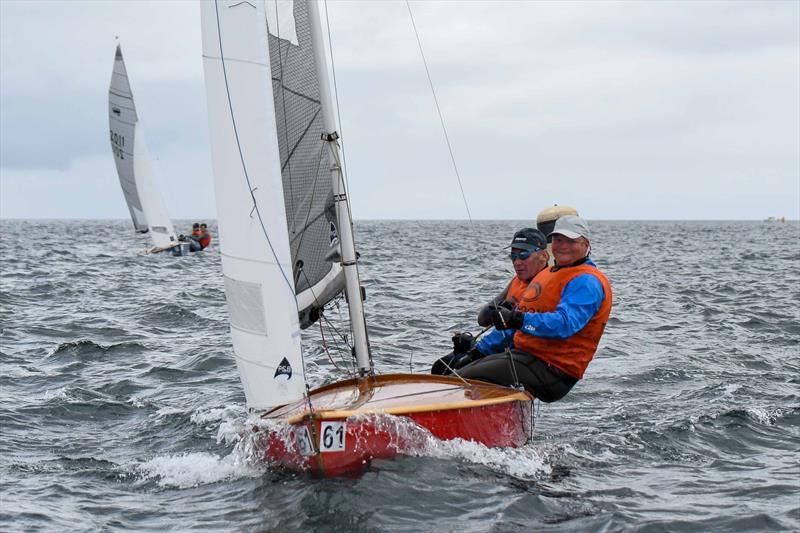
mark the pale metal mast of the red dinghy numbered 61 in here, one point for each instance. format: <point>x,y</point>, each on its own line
<point>348,250</point>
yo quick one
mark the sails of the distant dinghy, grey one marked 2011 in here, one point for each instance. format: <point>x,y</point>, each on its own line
<point>133,160</point>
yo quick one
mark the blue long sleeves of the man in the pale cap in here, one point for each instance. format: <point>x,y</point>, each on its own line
<point>580,300</point>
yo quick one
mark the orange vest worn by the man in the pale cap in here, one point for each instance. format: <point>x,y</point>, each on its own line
<point>571,355</point>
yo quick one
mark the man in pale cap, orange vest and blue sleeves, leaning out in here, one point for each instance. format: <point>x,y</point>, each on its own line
<point>553,333</point>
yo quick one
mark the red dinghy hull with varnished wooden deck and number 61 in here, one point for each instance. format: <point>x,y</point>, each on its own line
<point>355,422</point>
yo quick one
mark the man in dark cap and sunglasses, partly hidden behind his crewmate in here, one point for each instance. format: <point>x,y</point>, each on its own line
<point>529,256</point>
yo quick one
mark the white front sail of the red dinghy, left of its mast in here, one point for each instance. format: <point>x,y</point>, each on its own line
<point>254,235</point>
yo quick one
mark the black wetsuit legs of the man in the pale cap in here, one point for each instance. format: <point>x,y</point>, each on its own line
<point>540,379</point>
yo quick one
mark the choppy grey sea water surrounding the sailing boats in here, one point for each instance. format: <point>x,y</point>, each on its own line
<point>122,408</point>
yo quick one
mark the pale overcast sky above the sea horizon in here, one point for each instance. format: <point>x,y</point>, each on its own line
<point>624,110</point>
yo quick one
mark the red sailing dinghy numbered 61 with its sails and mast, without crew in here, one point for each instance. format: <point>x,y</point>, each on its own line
<point>287,249</point>
